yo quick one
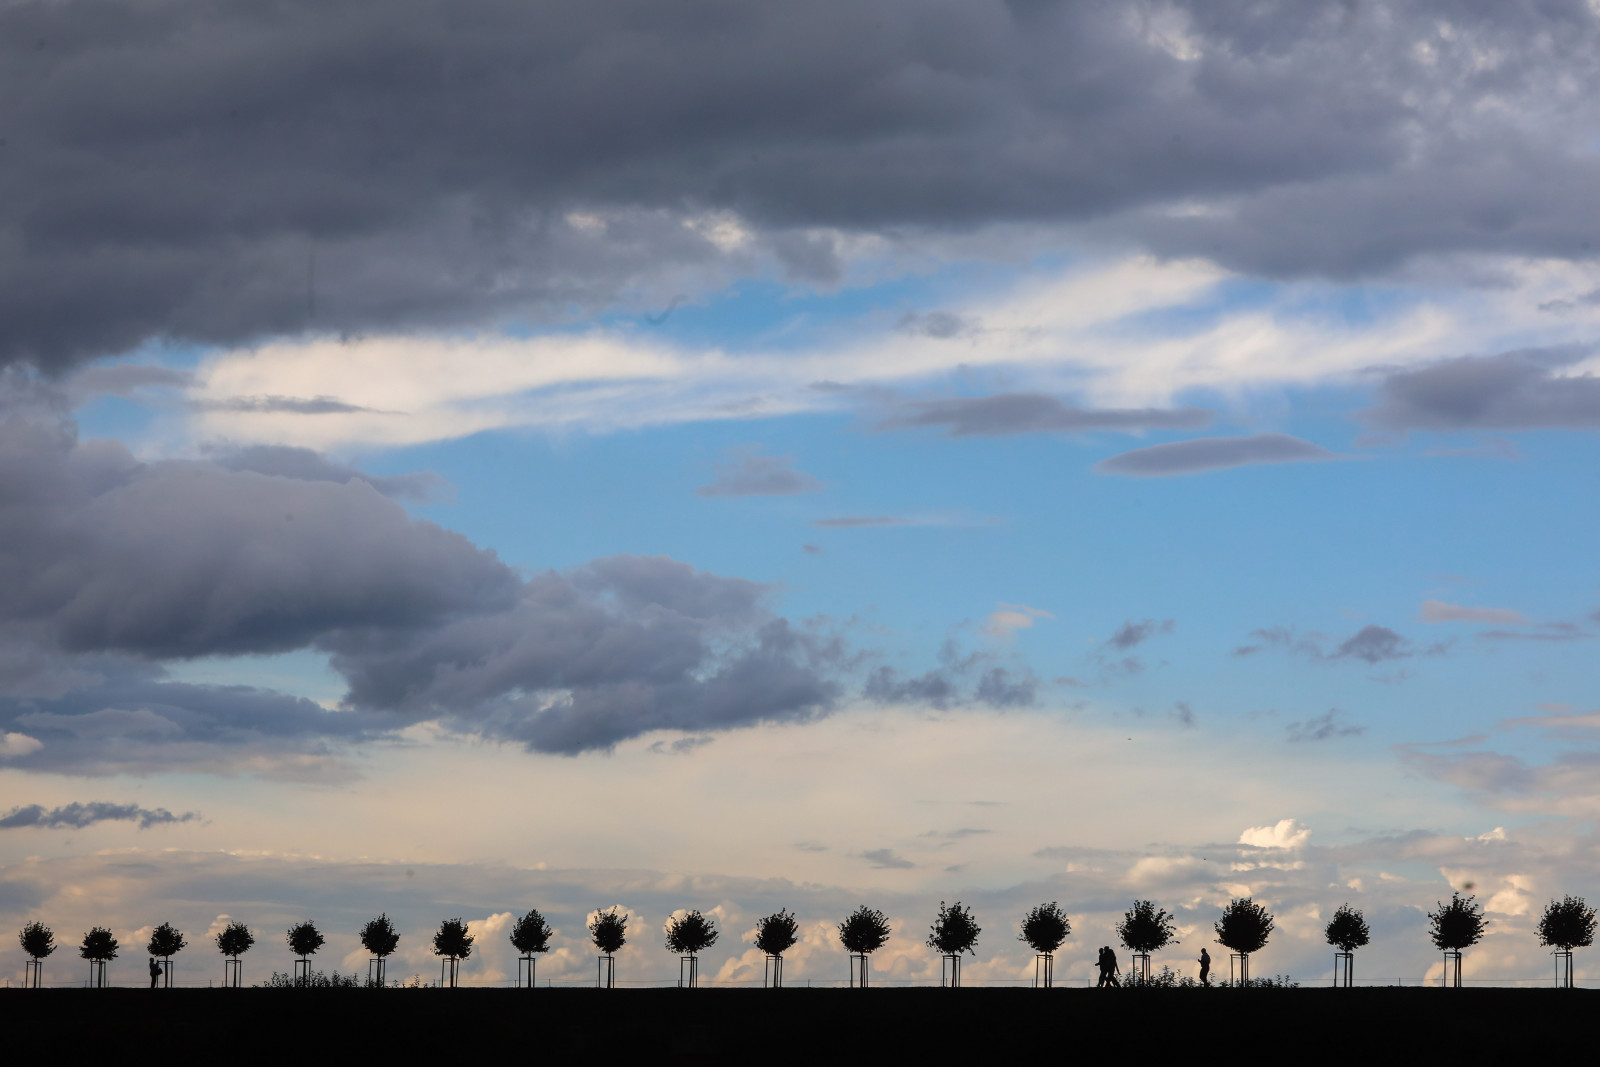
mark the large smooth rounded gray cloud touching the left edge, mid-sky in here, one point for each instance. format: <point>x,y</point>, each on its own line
<point>191,559</point>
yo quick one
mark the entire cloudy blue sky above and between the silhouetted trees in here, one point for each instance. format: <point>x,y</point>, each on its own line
<point>479,457</point>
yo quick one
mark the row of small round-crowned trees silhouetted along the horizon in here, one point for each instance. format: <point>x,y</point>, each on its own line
<point>1244,929</point>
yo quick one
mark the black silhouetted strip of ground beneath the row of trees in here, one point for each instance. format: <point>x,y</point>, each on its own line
<point>1244,1026</point>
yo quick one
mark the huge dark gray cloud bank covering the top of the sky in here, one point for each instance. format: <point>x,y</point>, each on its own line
<point>217,170</point>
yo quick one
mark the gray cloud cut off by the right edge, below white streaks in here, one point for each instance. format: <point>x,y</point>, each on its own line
<point>1513,391</point>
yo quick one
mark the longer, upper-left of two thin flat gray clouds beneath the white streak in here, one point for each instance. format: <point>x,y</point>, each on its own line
<point>1004,415</point>
